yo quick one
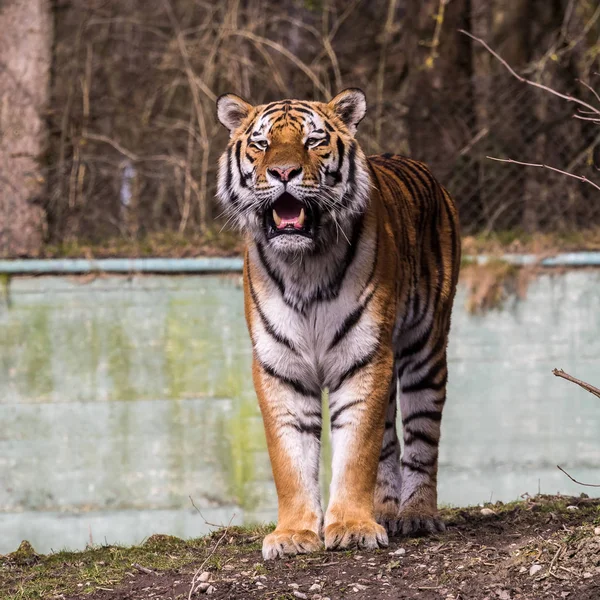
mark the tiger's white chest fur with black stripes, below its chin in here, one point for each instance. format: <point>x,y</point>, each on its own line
<point>309,305</point>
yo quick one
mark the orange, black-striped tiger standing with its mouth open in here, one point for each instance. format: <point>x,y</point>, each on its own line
<point>350,271</point>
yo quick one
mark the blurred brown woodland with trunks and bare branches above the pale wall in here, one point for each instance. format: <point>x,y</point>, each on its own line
<point>107,108</point>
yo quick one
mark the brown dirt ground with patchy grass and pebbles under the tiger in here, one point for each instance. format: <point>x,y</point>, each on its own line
<point>545,547</point>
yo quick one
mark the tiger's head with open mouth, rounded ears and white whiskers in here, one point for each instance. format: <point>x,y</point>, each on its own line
<point>293,176</point>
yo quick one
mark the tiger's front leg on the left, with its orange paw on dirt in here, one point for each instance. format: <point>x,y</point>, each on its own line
<point>292,420</point>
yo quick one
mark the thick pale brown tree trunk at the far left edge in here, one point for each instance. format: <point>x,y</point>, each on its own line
<point>25,60</point>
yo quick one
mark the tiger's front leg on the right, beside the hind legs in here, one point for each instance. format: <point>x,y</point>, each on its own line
<point>358,403</point>
